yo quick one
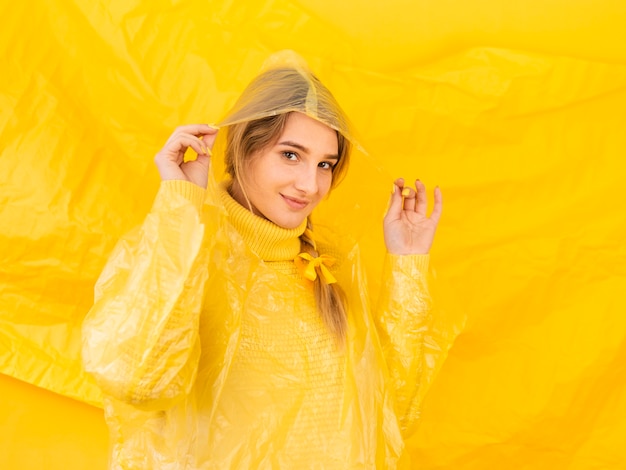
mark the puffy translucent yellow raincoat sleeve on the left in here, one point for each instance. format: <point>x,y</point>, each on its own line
<point>140,338</point>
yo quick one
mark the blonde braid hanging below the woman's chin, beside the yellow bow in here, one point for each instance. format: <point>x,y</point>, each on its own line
<point>329,298</point>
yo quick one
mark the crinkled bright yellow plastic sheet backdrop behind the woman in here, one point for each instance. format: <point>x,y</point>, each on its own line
<point>516,109</point>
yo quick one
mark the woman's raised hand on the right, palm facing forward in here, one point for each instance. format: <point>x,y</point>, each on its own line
<point>406,227</point>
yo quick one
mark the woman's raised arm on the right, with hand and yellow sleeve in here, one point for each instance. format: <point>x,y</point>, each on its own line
<point>404,311</point>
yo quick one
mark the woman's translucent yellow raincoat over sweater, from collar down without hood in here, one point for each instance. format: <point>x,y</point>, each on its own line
<point>211,355</point>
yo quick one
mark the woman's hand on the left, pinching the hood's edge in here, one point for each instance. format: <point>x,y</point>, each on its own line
<point>170,159</point>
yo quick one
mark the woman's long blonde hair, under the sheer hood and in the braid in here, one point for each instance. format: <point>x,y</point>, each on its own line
<point>281,92</point>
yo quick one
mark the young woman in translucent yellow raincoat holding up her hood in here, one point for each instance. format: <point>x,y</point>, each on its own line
<point>228,333</point>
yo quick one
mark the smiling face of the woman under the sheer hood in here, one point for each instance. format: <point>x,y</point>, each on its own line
<point>286,181</point>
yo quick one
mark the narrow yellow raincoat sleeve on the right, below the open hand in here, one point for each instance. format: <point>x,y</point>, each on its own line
<point>403,320</point>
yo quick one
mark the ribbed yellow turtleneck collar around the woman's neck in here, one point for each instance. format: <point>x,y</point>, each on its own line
<point>269,241</point>
